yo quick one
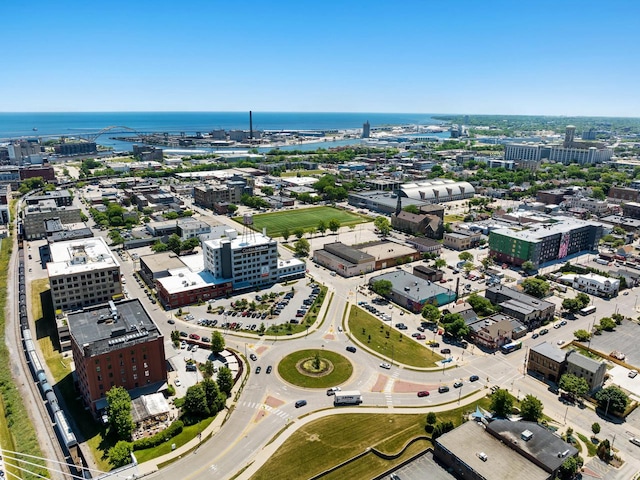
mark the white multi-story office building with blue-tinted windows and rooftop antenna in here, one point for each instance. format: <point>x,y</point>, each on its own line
<point>249,260</point>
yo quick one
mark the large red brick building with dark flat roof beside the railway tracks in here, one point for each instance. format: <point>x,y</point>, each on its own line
<point>116,345</point>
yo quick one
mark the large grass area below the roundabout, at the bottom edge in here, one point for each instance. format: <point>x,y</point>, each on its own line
<point>329,441</point>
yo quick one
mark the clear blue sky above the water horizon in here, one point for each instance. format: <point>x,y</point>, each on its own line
<point>493,57</point>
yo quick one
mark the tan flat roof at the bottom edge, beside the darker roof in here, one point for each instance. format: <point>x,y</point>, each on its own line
<point>470,439</point>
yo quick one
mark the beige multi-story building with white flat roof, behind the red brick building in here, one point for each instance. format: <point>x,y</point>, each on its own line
<point>83,272</point>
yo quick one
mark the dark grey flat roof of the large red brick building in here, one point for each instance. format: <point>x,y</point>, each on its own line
<point>97,331</point>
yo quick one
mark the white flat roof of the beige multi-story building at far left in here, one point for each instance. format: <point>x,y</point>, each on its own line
<point>79,256</point>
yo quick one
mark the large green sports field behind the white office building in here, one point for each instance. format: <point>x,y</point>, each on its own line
<point>305,218</point>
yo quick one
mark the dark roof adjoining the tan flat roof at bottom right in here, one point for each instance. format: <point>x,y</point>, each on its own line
<point>543,446</point>
